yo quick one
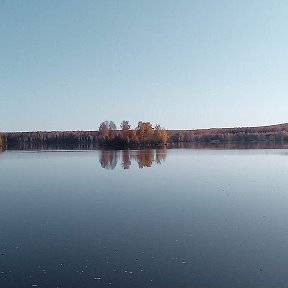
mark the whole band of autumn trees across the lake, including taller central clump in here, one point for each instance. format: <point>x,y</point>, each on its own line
<point>144,134</point>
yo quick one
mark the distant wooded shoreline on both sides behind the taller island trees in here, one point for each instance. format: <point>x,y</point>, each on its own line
<point>243,135</point>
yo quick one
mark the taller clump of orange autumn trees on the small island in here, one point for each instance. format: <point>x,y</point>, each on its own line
<point>144,134</point>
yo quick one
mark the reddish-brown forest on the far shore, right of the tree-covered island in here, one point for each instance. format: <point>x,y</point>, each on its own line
<point>275,133</point>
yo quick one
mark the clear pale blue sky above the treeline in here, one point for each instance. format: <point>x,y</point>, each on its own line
<point>185,64</point>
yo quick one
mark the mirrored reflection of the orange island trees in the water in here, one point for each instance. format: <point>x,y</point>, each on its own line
<point>144,158</point>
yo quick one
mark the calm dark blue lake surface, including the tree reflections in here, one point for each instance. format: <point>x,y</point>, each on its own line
<point>151,218</point>
